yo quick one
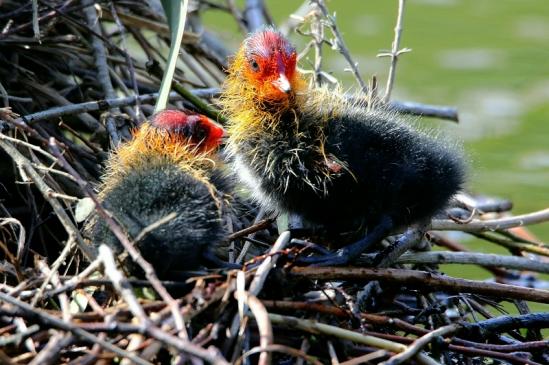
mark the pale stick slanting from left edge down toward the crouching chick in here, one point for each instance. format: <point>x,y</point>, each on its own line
<point>59,210</point>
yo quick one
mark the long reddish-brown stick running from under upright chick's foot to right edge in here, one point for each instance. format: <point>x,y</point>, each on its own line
<point>423,281</point>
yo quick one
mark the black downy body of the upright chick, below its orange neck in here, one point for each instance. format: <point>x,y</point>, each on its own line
<point>351,170</point>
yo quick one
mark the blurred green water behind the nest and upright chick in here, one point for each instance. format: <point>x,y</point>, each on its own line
<point>488,58</point>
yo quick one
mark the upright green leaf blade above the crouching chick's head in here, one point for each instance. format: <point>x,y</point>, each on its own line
<point>176,14</point>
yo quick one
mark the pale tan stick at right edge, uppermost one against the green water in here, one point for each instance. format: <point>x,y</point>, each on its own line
<point>493,224</point>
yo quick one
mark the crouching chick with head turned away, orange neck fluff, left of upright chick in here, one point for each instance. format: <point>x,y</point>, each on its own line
<point>168,167</point>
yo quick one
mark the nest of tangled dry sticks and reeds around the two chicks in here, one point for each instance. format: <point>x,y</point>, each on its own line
<point>74,84</point>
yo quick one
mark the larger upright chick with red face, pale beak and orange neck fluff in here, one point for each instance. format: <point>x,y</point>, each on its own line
<point>316,153</point>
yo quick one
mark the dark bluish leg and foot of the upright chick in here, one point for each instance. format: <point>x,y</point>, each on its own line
<point>352,251</point>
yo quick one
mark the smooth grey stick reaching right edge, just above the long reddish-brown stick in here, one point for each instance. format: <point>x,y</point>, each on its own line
<point>473,258</point>
